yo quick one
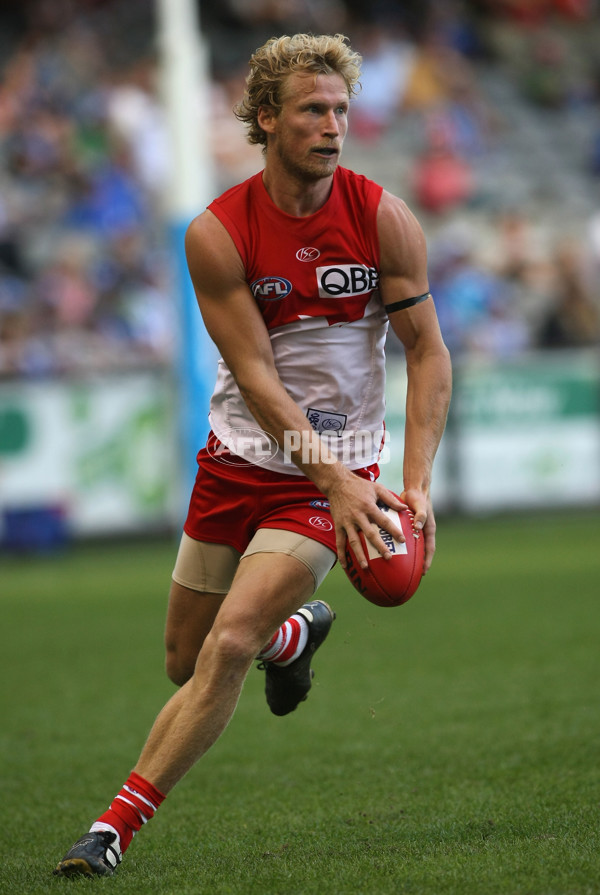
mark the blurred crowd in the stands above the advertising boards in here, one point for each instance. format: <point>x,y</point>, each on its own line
<point>85,278</point>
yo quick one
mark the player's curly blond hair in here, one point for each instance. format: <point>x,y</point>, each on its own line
<point>271,64</point>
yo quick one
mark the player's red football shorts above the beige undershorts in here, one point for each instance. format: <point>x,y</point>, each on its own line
<point>232,499</point>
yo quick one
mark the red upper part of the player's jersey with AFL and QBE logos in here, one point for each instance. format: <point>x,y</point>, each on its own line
<point>322,265</point>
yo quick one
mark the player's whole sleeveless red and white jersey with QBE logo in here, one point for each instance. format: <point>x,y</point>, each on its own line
<point>315,280</point>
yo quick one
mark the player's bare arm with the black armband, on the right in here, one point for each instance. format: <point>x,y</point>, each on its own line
<point>405,293</point>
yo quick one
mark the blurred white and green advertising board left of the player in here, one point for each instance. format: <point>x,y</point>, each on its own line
<point>102,450</point>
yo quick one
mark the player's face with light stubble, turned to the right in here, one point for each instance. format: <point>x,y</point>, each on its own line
<point>307,135</point>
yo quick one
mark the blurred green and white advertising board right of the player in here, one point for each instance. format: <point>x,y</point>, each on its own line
<point>520,435</point>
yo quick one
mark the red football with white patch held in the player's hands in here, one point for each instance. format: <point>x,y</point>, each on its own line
<point>389,582</point>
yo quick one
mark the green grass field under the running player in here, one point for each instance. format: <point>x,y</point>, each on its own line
<point>448,746</point>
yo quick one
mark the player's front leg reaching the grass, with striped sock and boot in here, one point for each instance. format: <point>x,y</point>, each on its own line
<point>267,589</point>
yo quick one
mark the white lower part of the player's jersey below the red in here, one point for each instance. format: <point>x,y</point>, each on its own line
<point>335,373</point>
